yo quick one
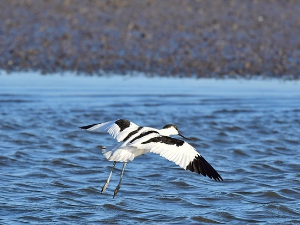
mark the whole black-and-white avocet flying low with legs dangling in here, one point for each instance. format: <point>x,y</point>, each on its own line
<point>135,141</point>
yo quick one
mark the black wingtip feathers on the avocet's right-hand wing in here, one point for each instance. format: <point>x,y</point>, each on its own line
<point>200,165</point>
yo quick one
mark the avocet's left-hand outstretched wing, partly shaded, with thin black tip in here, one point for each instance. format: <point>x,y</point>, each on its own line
<point>120,129</point>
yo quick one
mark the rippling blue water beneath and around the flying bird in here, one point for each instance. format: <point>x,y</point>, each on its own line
<point>52,172</point>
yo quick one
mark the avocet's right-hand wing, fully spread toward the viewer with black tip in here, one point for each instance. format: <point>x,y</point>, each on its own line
<point>179,152</point>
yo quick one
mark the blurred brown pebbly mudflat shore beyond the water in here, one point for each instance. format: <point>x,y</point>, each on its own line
<point>166,38</point>
